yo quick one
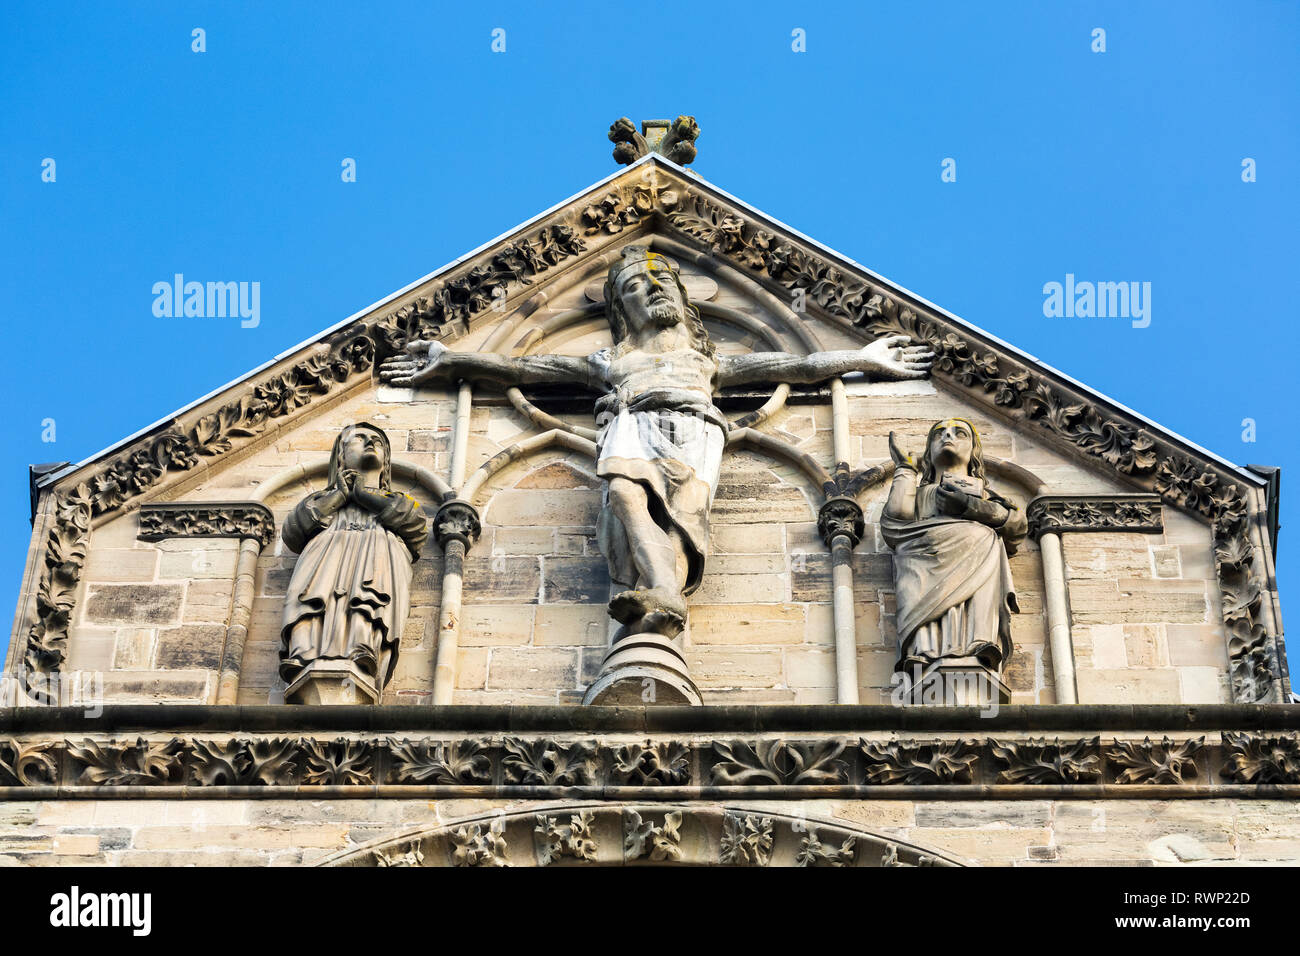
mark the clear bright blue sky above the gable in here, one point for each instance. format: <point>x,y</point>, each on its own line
<point>1124,166</point>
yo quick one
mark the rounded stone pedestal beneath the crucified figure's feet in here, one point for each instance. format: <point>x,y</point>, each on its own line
<point>640,671</point>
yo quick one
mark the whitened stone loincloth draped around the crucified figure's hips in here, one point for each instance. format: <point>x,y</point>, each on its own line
<point>670,442</point>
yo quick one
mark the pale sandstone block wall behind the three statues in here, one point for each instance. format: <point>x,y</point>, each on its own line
<point>1145,608</point>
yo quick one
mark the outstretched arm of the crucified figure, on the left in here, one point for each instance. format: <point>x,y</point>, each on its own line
<point>428,361</point>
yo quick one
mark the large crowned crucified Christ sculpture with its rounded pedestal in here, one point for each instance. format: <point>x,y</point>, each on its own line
<point>660,449</point>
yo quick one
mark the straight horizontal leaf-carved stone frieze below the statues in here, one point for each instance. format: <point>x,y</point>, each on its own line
<point>631,767</point>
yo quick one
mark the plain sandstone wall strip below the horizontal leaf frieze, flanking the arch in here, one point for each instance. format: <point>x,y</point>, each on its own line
<point>1022,833</point>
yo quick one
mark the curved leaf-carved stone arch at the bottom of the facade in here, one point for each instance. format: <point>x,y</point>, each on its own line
<point>627,836</point>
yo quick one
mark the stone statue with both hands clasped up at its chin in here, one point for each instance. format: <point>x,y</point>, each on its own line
<point>350,591</point>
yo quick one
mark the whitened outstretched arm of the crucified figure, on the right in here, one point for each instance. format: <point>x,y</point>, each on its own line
<point>890,358</point>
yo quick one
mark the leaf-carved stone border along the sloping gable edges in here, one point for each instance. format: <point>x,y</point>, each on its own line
<point>657,196</point>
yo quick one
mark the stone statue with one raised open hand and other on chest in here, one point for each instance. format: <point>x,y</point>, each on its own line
<point>951,535</point>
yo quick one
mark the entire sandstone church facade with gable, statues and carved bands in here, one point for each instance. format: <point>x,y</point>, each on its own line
<point>652,533</point>
